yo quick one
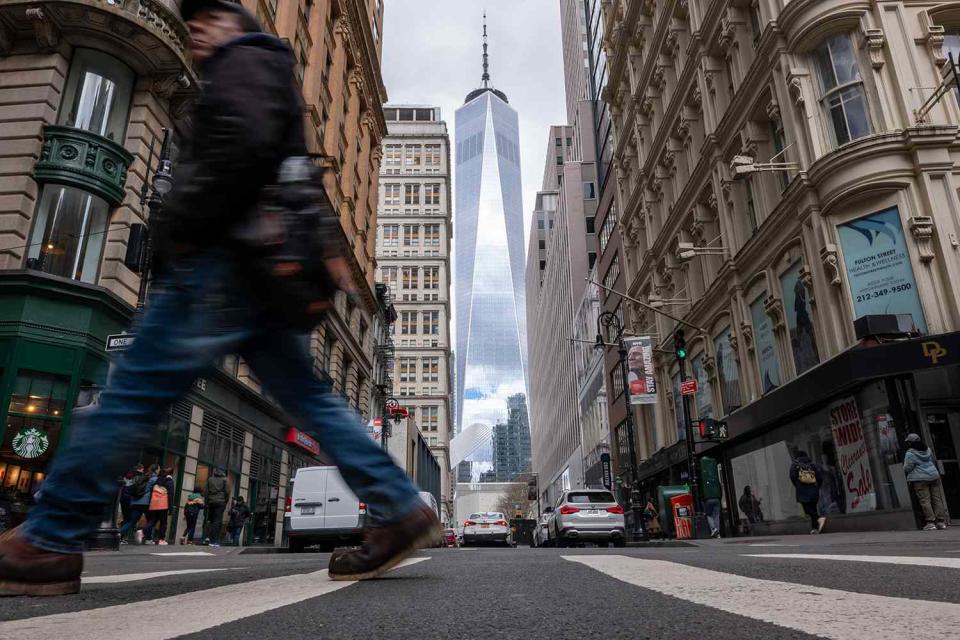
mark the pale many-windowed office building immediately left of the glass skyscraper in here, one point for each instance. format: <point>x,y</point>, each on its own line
<point>413,252</point>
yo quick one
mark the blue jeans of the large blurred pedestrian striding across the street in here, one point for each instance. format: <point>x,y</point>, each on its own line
<point>196,314</point>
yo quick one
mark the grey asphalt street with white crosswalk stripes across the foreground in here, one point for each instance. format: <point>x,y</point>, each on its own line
<point>844,586</point>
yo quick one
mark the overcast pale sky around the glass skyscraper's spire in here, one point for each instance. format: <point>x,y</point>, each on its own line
<point>432,55</point>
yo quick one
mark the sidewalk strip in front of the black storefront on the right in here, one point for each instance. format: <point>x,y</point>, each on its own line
<point>935,539</point>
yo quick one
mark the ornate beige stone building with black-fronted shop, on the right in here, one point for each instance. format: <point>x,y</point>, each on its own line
<point>771,268</point>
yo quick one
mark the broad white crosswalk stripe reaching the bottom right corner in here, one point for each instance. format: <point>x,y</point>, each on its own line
<point>828,613</point>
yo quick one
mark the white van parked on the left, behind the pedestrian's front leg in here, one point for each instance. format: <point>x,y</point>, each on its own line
<point>321,510</point>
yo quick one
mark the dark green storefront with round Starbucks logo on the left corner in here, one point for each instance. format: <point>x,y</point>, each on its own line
<point>52,337</point>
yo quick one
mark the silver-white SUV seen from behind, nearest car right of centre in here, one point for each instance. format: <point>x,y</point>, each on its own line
<point>587,515</point>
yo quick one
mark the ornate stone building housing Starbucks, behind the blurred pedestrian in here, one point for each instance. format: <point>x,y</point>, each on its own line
<point>86,88</point>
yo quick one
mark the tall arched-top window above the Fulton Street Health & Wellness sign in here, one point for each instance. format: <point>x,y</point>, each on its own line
<point>842,93</point>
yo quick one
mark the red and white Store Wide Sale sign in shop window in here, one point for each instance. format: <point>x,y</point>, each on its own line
<point>852,458</point>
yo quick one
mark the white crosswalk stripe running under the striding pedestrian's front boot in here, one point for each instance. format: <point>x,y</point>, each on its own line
<point>163,618</point>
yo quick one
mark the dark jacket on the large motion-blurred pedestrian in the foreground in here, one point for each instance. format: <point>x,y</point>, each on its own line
<point>247,119</point>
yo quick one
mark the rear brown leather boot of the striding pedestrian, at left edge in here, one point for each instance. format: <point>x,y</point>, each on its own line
<point>26,570</point>
